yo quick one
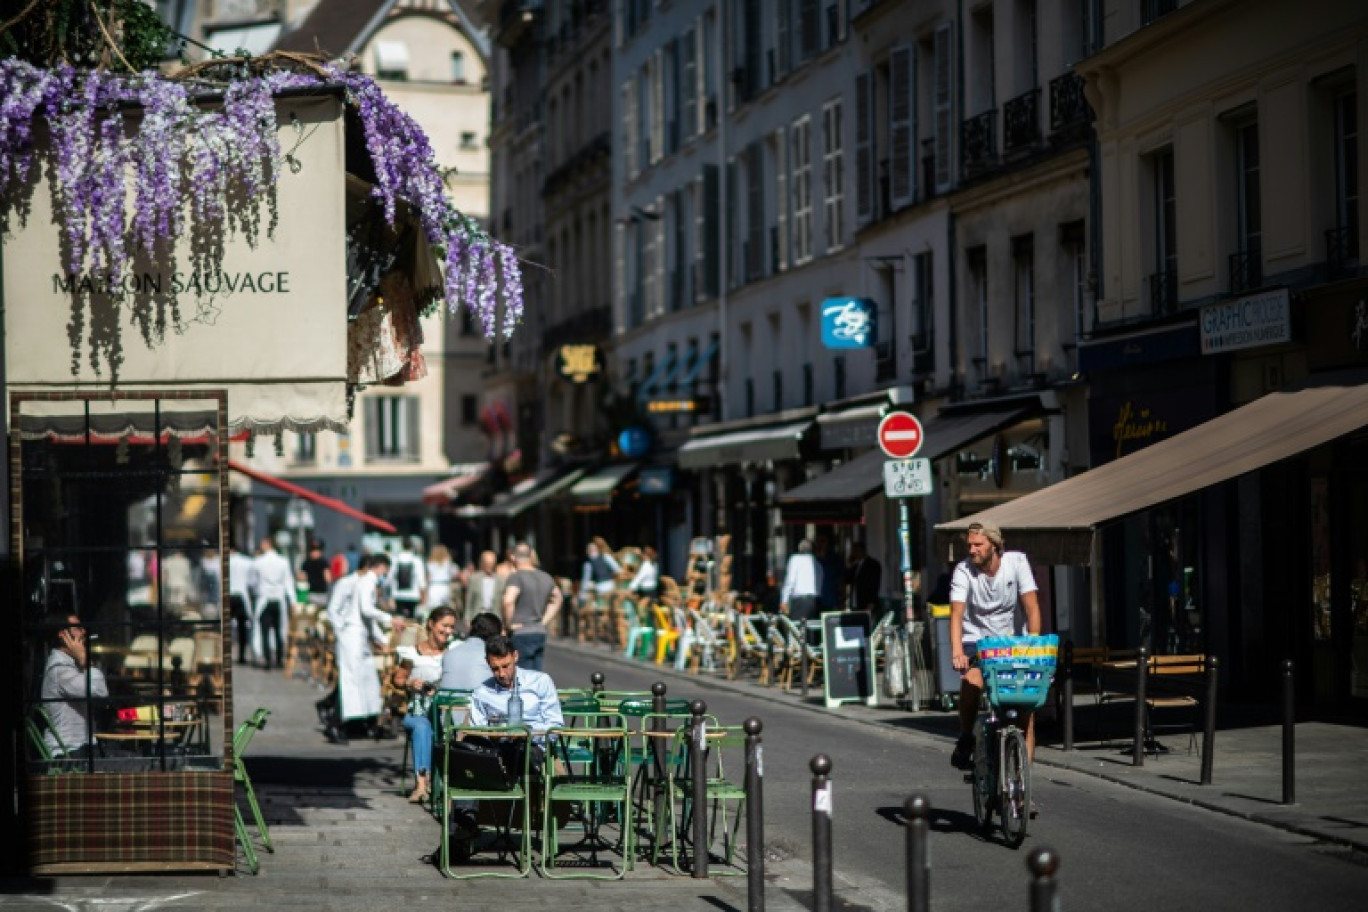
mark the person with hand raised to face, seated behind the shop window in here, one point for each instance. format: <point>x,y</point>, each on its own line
<point>69,683</point>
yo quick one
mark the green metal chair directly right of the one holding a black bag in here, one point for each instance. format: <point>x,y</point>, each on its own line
<point>598,784</point>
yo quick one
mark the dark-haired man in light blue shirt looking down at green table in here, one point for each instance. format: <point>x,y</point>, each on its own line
<point>490,706</point>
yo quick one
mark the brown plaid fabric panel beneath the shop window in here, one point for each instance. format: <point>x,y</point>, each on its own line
<point>121,818</point>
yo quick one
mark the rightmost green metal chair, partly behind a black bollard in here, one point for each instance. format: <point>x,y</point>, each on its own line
<point>726,750</point>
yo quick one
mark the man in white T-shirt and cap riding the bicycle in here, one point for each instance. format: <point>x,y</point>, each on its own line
<point>991,594</point>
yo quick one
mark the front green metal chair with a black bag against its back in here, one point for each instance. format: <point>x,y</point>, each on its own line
<point>519,794</point>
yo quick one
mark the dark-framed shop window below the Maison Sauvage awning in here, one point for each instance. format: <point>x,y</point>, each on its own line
<point>121,530</point>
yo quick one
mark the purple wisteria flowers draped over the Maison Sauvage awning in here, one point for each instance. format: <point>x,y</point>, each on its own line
<point>213,154</point>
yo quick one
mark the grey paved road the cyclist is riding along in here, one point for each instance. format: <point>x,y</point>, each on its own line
<point>1121,848</point>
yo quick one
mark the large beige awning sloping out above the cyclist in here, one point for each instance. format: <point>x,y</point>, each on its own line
<point>1057,524</point>
